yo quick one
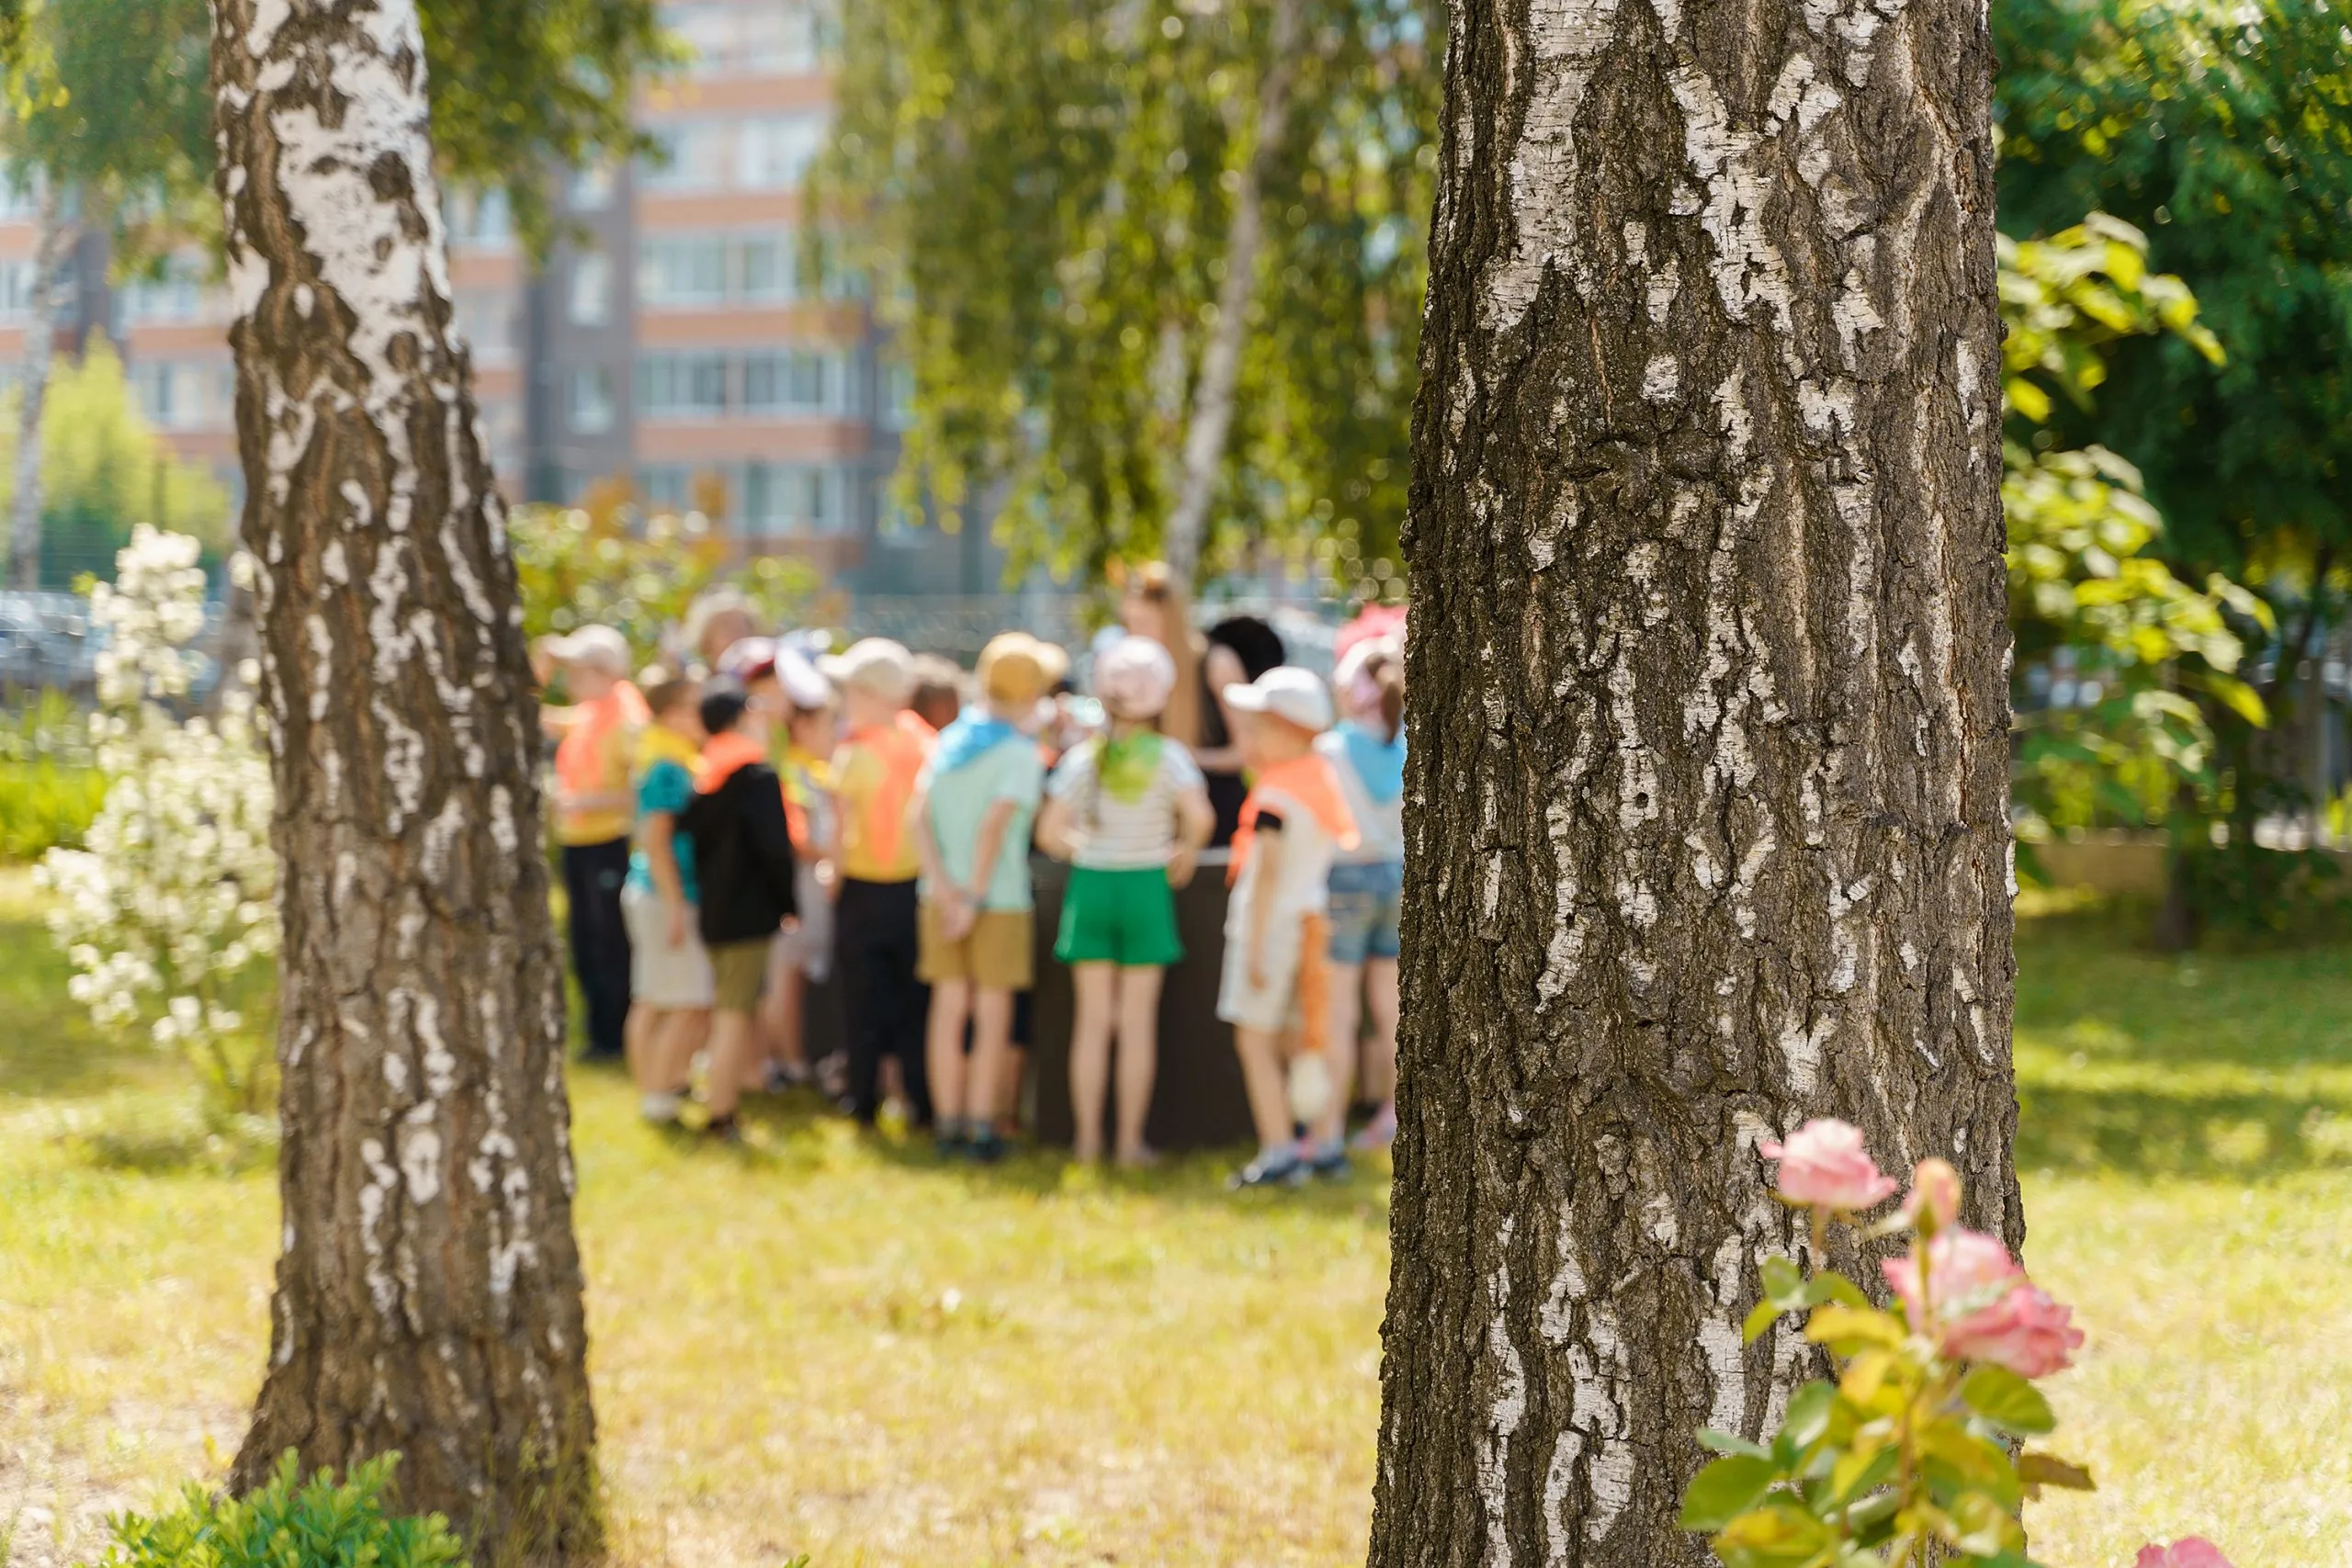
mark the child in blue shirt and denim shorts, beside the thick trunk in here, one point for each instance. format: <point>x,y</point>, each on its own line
<point>1368,885</point>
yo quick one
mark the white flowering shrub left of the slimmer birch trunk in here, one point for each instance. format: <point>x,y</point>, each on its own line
<point>168,911</point>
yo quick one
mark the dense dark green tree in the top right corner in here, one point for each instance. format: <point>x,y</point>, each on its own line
<point>2226,135</point>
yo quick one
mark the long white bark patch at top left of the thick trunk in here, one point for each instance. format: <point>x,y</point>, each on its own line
<point>1568,41</point>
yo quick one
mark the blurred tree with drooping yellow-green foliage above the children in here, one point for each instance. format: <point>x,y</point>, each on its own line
<point>1156,272</point>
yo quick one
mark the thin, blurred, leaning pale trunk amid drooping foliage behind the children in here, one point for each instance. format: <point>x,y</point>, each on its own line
<point>1210,422</point>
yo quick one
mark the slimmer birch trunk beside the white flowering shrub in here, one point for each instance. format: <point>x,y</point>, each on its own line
<point>429,1287</point>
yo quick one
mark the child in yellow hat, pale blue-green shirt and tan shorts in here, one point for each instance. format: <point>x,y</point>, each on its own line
<point>973,831</point>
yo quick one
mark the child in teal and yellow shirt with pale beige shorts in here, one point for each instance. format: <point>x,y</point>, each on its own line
<point>669,972</point>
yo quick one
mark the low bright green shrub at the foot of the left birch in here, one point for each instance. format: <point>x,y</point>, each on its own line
<point>288,1525</point>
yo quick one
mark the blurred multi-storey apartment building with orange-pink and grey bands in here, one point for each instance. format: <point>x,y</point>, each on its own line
<point>671,340</point>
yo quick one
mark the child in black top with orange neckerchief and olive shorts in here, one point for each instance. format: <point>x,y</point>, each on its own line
<point>744,864</point>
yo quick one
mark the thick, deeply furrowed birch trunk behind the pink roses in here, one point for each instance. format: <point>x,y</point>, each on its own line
<point>1709,728</point>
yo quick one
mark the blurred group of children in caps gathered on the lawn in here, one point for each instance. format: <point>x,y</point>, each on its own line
<point>775,817</point>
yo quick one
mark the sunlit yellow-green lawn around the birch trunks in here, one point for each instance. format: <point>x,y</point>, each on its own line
<point>836,1348</point>
